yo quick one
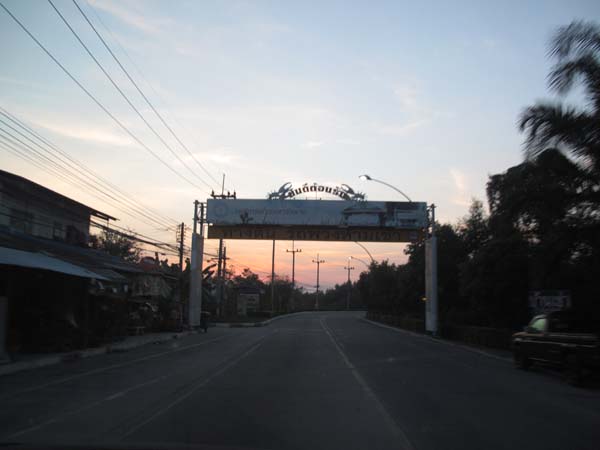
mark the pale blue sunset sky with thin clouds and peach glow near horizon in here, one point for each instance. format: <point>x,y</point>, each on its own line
<point>424,95</point>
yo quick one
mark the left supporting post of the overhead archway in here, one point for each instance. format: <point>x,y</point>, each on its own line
<point>195,298</point>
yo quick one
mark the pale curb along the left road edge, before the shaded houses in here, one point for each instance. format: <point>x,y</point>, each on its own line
<point>19,366</point>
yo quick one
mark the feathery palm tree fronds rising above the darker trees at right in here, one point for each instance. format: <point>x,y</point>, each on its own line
<point>553,124</point>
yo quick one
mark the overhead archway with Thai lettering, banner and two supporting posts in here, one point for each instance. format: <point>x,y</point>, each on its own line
<point>285,217</point>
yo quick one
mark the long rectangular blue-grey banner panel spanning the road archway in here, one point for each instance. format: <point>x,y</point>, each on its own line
<point>317,220</point>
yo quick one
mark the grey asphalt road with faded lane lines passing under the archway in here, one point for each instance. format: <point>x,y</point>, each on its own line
<point>308,381</point>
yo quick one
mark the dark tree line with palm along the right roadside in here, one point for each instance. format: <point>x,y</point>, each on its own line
<point>541,229</point>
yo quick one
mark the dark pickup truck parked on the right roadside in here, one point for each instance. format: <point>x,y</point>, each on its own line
<point>560,339</point>
